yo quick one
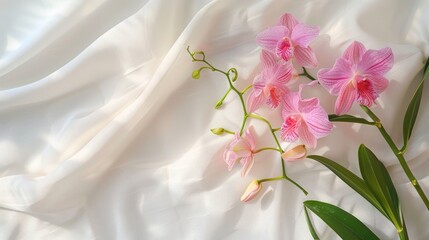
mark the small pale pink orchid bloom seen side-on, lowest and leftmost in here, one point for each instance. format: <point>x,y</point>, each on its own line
<point>241,149</point>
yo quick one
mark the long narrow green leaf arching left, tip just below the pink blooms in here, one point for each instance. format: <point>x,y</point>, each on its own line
<point>355,182</point>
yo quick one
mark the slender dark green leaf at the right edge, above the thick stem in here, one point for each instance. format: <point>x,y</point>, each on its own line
<point>413,108</point>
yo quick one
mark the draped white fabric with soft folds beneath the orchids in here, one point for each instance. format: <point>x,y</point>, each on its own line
<point>105,135</point>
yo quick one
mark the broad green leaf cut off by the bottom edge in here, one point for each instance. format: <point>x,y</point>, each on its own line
<point>343,223</point>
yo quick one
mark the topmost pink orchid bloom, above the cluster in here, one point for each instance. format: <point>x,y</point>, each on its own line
<point>290,40</point>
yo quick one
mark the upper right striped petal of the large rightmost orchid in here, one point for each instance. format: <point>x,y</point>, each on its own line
<point>376,62</point>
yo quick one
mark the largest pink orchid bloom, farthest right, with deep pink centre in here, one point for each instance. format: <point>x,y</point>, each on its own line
<point>357,76</point>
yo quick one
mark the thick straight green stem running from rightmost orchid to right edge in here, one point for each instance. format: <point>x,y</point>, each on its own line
<point>399,155</point>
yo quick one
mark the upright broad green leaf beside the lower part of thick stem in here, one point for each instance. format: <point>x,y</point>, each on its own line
<point>379,182</point>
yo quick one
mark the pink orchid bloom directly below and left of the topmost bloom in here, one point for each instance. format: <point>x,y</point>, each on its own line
<point>269,86</point>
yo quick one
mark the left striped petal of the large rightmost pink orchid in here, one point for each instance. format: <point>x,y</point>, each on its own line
<point>333,79</point>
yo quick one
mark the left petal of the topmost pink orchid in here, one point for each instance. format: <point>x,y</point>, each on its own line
<point>269,38</point>
